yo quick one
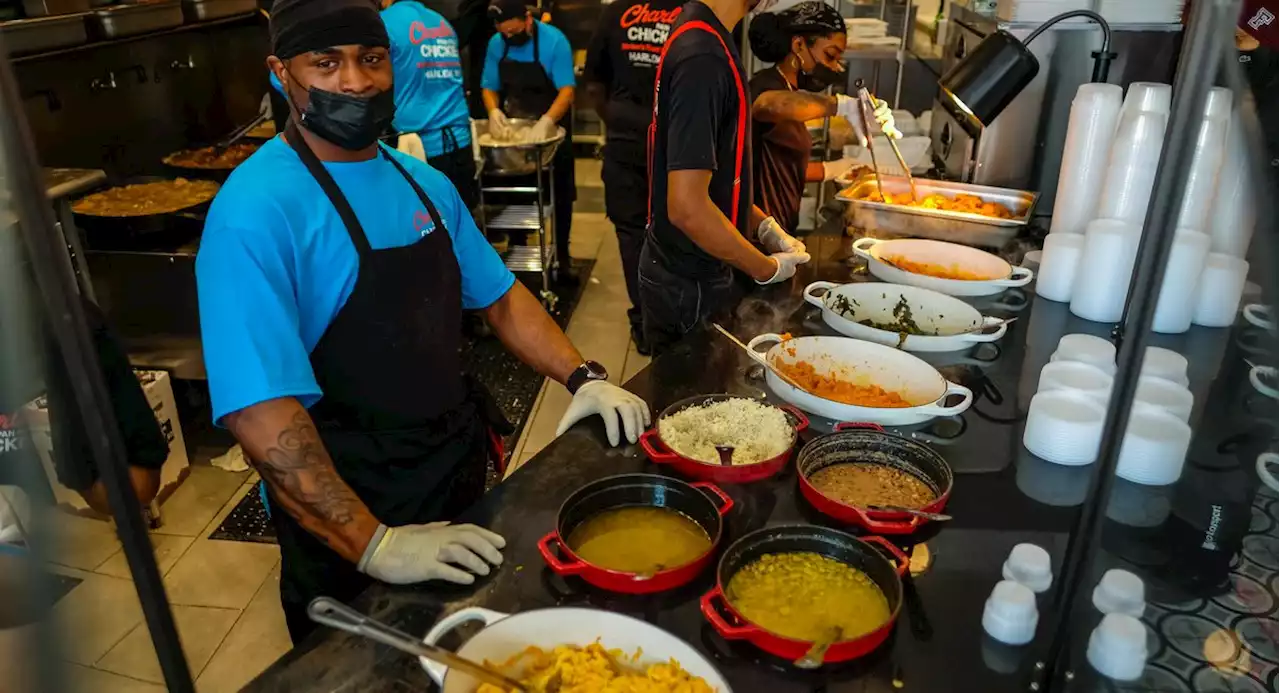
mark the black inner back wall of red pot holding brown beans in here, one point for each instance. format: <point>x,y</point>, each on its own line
<point>880,449</point>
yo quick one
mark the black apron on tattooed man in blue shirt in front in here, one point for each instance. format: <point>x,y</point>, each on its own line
<point>399,418</point>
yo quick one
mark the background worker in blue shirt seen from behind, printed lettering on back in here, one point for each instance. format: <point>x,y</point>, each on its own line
<point>429,98</point>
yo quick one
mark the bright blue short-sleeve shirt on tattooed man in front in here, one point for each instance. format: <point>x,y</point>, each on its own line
<point>276,265</point>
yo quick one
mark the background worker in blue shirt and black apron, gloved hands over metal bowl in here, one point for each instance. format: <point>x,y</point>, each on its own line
<point>529,74</point>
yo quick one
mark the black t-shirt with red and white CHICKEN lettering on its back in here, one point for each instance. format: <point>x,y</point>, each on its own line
<point>624,57</point>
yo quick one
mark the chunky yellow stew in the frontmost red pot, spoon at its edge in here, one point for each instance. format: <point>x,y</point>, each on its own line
<point>807,596</point>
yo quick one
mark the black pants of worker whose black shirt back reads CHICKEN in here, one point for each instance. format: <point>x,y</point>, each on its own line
<point>627,206</point>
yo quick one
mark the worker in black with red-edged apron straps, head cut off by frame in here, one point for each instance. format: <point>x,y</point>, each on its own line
<point>701,181</point>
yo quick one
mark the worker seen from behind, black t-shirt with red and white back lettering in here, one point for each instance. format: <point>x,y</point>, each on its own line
<point>620,67</point>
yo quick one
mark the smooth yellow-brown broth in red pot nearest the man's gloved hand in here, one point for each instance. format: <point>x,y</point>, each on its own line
<point>639,540</point>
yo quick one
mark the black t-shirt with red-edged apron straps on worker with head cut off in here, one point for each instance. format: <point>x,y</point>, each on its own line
<point>698,127</point>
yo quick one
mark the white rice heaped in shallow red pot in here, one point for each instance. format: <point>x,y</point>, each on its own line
<point>756,432</point>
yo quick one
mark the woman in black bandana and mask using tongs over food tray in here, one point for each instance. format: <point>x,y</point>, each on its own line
<point>807,45</point>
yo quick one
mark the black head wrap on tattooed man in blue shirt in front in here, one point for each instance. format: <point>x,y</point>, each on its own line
<point>305,26</point>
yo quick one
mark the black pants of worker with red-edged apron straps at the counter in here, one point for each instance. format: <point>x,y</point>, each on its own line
<point>674,306</point>
